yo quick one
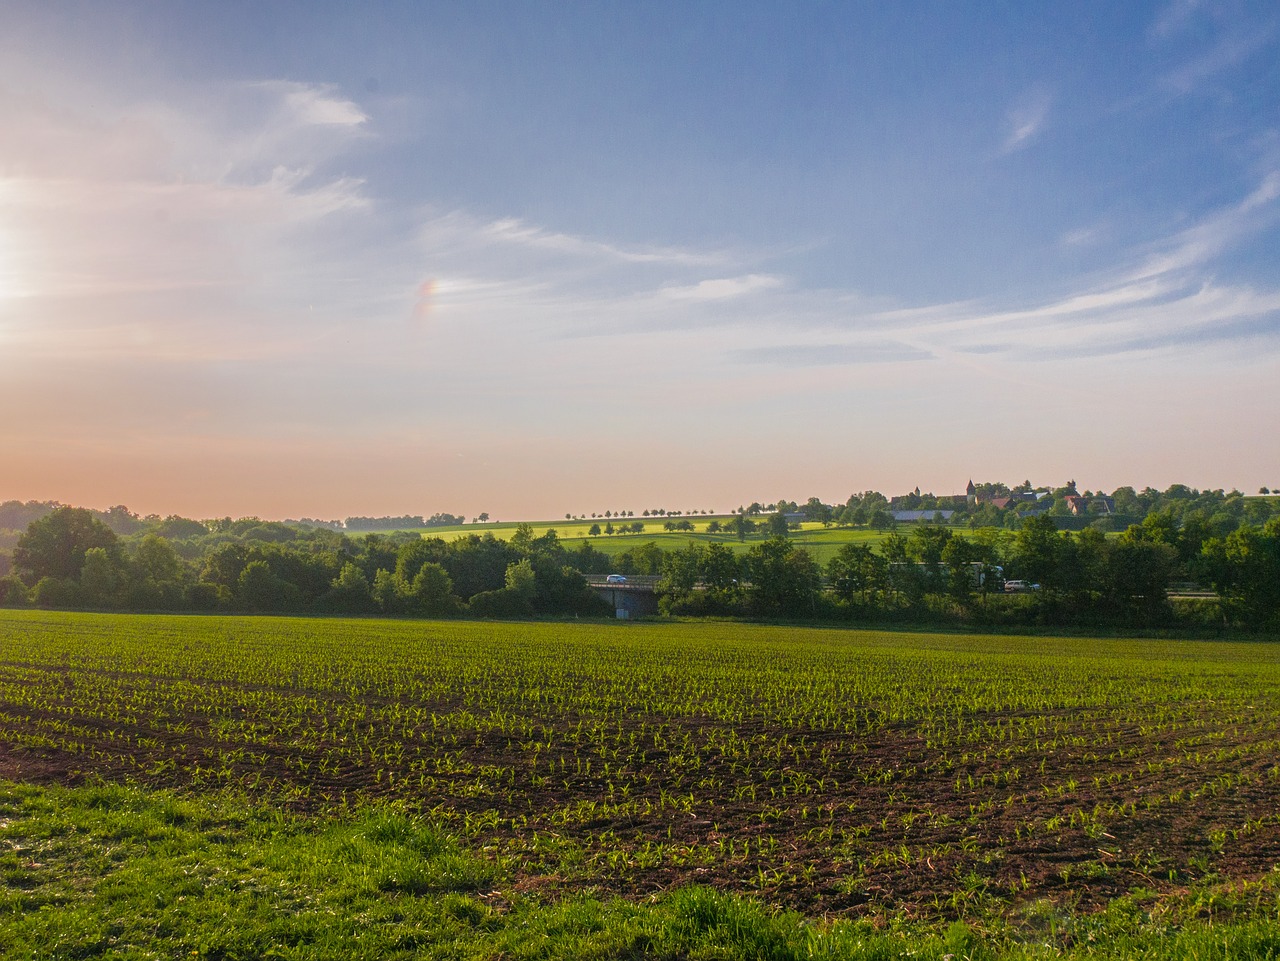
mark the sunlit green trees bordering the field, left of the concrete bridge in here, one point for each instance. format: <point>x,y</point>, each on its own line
<point>70,559</point>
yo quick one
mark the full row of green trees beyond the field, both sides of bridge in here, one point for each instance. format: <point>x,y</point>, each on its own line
<point>71,559</point>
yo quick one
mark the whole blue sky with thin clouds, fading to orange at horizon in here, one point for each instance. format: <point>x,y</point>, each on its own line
<point>533,259</point>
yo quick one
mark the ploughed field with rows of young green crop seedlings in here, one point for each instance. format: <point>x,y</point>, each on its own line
<point>835,772</point>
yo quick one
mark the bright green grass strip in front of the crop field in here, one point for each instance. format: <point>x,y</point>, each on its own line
<point>129,873</point>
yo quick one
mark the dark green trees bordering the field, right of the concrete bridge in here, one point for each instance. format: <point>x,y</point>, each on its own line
<point>934,575</point>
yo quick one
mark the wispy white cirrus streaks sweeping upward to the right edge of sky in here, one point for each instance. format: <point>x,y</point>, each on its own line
<point>1165,301</point>
